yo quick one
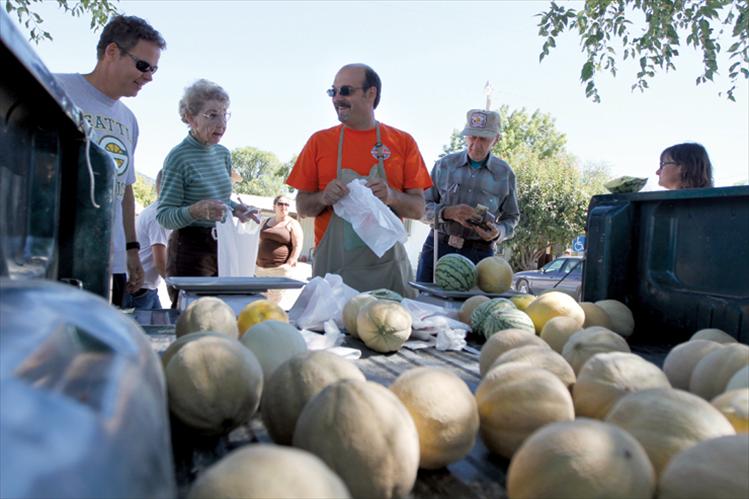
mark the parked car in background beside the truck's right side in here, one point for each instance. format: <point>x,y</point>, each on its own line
<point>563,274</point>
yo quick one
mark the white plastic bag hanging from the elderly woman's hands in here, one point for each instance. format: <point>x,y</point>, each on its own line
<point>237,246</point>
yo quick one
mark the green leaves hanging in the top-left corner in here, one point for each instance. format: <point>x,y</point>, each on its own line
<point>99,10</point>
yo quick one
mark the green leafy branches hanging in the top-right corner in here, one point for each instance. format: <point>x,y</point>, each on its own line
<point>605,25</point>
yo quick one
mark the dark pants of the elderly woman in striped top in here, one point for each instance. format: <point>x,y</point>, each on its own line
<point>191,252</point>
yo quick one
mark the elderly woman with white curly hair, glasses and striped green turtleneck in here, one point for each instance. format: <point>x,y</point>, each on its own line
<point>196,185</point>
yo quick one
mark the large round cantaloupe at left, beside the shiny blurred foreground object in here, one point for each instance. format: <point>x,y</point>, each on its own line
<point>214,384</point>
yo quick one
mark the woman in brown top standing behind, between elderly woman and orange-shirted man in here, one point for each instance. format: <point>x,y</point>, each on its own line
<point>281,240</point>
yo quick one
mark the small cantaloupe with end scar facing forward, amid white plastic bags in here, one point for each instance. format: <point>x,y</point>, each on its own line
<point>384,325</point>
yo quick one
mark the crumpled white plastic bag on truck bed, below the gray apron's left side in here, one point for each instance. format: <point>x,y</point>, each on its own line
<point>321,300</point>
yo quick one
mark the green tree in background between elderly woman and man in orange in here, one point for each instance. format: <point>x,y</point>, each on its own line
<point>262,172</point>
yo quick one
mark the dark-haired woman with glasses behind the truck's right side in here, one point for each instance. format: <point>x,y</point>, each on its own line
<point>685,166</point>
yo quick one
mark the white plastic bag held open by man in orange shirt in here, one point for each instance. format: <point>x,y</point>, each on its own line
<point>370,218</point>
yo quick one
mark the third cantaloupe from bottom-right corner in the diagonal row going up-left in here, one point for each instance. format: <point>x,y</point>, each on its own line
<point>606,377</point>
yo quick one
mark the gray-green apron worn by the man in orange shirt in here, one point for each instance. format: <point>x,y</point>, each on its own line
<point>341,251</point>
